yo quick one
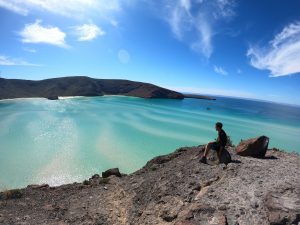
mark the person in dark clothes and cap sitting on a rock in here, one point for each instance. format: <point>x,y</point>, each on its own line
<point>217,145</point>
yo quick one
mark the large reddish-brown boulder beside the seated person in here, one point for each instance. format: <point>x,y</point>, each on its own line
<point>254,147</point>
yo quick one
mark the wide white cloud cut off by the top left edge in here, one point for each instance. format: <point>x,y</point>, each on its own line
<point>69,8</point>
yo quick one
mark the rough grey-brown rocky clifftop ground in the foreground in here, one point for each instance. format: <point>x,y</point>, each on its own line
<point>172,189</point>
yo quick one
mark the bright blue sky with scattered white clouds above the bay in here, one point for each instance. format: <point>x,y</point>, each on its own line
<point>248,48</point>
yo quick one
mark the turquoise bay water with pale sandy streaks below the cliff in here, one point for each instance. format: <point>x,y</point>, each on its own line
<point>69,140</point>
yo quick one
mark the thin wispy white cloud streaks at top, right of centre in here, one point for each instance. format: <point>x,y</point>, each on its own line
<point>195,22</point>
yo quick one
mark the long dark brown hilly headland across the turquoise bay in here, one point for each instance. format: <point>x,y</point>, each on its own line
<point>81,86</point>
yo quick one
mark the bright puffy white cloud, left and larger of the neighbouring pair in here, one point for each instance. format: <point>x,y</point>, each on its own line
<point>36,33</point>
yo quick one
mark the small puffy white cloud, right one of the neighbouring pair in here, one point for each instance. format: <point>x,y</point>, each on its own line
<point>88,32</point>
